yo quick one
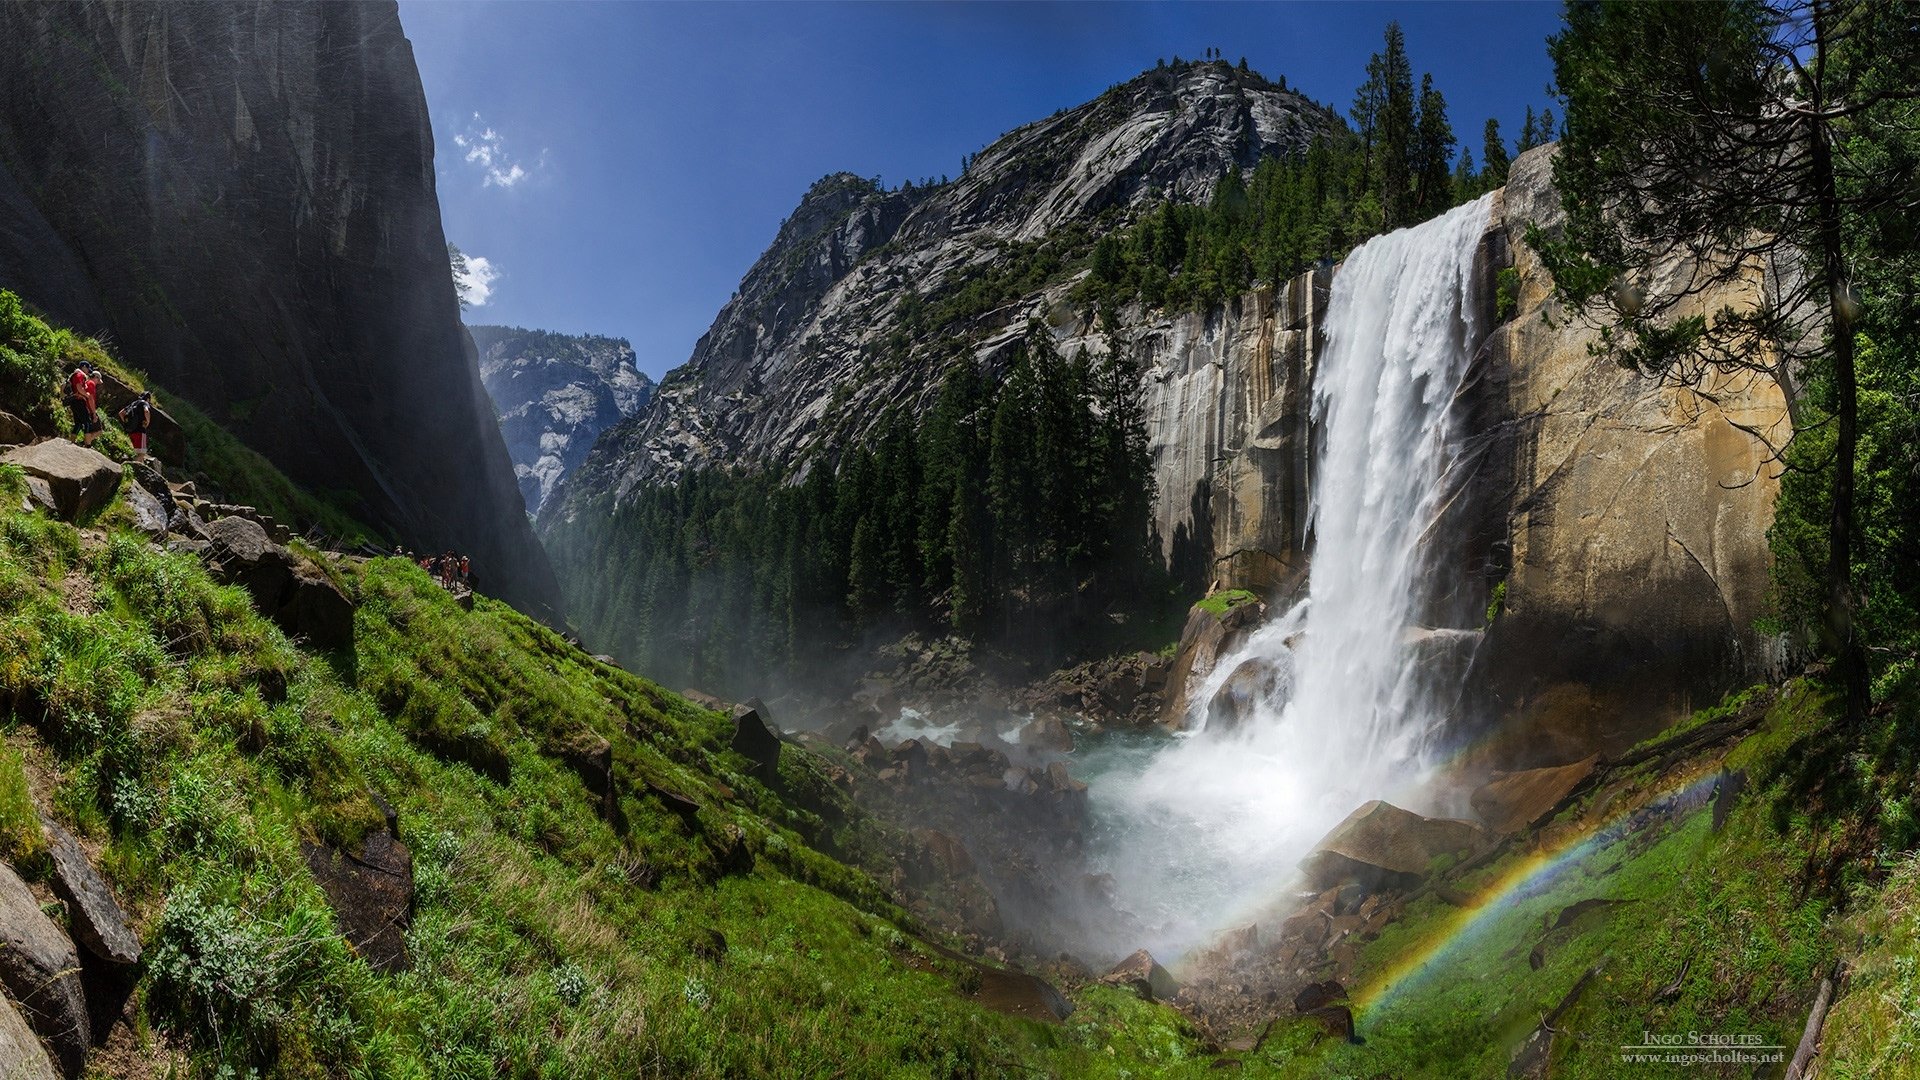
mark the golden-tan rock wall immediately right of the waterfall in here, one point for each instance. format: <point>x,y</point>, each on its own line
<point>1633,522</point>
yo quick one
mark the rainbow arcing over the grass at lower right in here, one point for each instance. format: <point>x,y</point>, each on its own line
<point>1502,893</point>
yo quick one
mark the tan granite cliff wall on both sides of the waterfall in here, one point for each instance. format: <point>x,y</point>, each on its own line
<point>1621,522</point>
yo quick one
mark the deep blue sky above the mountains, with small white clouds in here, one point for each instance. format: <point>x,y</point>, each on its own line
<point>621,166</point>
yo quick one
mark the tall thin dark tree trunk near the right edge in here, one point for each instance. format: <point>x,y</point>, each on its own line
<point>1844,641</point>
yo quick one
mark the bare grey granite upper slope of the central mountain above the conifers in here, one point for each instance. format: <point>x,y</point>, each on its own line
<point>815,345</point>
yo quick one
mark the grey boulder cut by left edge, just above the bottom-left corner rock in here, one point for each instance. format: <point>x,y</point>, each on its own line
<point>41,971</point>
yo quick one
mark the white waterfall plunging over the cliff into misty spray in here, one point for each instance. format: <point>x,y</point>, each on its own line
<point>1207,833</point>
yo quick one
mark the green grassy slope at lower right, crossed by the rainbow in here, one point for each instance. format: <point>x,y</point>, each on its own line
<point>1704,933</point>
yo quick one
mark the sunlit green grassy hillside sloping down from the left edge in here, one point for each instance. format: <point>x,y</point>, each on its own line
<point>550,937</point>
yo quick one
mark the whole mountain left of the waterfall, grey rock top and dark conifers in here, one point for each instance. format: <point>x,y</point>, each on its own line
<point>971,380</point>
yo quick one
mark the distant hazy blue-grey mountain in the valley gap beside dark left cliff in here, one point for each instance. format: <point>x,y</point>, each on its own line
<point>556,393</point>
